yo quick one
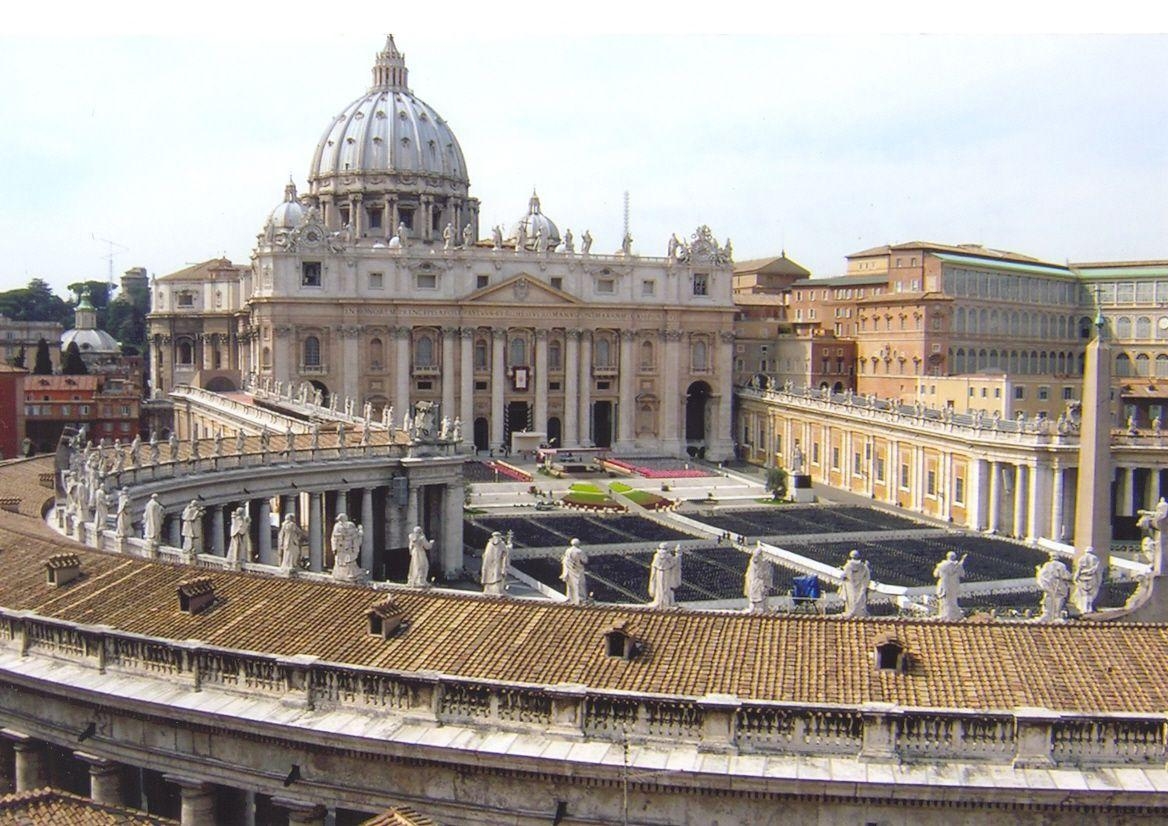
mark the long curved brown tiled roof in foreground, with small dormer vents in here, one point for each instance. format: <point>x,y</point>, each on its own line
<point>1077,668</point>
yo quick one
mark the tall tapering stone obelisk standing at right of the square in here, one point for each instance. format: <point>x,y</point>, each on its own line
<point>1093,510</point>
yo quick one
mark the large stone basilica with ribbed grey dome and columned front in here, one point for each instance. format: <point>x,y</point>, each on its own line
<point>376,286</point>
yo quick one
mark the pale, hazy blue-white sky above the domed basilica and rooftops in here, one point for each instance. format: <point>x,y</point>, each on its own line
<point>168,141</point>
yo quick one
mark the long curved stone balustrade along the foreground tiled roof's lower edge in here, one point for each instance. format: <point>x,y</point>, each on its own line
<point>720,724</point>
